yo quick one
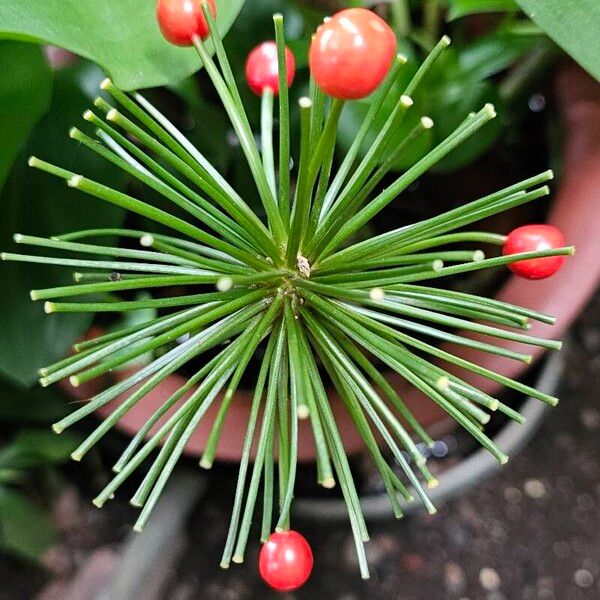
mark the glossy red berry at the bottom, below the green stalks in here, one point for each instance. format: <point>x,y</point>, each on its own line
<point>285,561</point>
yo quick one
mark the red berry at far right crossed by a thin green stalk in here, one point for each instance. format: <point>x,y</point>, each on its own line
<point>532,238</point>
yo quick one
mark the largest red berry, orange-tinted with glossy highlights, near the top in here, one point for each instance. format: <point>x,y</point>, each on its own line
<point>351,53</point>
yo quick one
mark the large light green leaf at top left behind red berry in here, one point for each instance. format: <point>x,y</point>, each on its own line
<point>122,36</point>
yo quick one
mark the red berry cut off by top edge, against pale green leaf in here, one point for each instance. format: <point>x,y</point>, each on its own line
<point>182,20</point>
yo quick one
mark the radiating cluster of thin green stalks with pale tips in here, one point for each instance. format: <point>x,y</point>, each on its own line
<point>297,284</point>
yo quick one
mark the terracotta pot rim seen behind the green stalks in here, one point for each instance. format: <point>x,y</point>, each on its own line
<point>576,212</point>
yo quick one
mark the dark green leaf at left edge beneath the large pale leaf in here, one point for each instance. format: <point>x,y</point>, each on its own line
<point>25,92</point>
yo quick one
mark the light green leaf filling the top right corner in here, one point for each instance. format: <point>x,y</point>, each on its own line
<point>574,26</point>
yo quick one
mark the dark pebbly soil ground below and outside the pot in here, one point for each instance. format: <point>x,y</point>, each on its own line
<point>530,533</point>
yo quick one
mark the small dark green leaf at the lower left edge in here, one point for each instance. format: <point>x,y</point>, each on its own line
<point>25,529</point>
